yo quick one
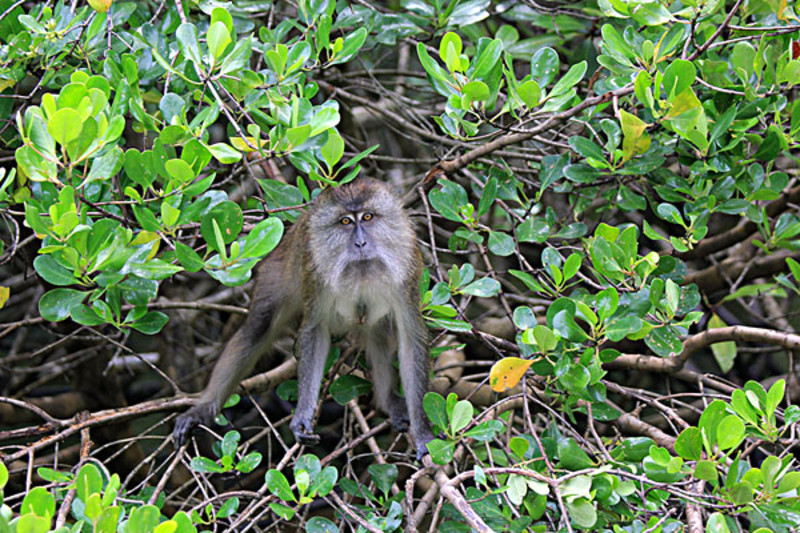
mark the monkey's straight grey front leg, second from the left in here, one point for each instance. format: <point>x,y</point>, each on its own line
<point>313,344</point>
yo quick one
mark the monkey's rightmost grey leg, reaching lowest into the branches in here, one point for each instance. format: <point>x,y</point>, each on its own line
<point>412,353</point>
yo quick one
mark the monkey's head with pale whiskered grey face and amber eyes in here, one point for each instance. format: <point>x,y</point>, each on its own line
<point>360,231</point>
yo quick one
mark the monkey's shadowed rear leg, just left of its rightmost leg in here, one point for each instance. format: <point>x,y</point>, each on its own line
<point>380,349</point>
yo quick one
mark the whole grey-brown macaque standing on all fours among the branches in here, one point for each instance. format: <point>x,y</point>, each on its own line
<point>349,264</point>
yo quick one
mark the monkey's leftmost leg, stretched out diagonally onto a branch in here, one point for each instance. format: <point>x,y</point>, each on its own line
<point>247,345</point>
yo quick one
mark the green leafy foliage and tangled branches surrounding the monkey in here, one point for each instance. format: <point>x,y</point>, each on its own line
<point>609,194</point>
